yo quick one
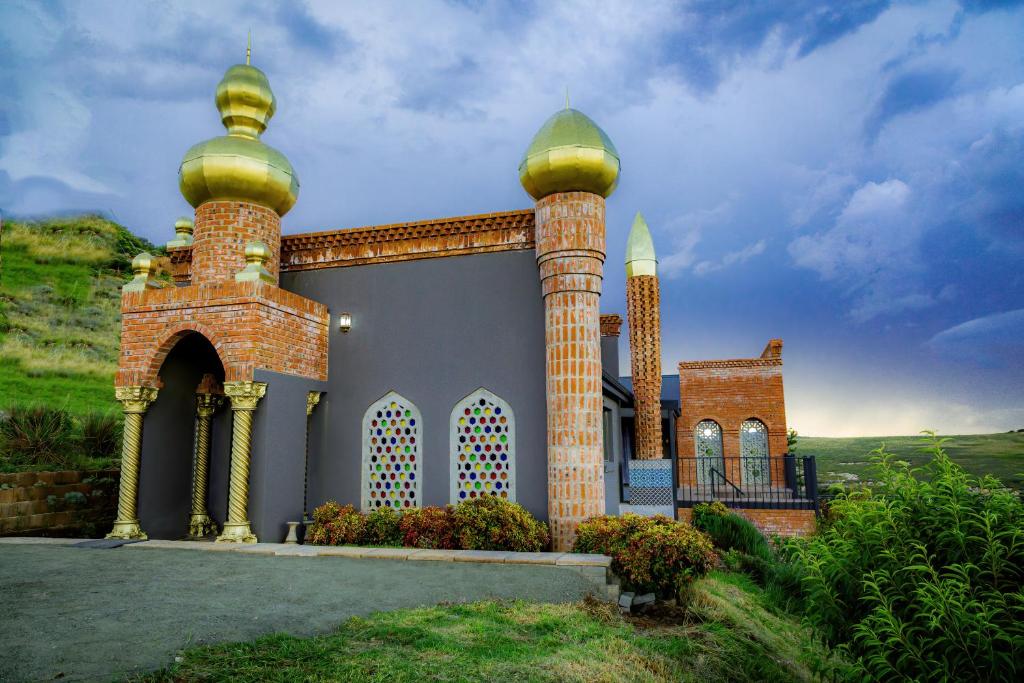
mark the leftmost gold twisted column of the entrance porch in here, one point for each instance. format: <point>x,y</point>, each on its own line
<point>136,401</point>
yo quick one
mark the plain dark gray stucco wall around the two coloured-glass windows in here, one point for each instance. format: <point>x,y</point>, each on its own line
<point>435,331</point>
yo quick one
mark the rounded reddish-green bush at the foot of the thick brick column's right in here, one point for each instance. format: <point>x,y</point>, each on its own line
<point>651,554</point>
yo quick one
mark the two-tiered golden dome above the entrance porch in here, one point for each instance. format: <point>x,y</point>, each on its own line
<point>239,166</point>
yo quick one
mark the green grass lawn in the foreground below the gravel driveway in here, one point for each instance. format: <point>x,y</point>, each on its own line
<point>729,633</point>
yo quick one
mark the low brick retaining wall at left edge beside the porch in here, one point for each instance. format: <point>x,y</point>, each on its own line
<point>67,503</point>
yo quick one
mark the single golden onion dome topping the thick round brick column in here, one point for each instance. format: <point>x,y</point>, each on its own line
<point>571,153</point>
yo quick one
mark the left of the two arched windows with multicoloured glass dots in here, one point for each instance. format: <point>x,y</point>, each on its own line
<point>392,437</point>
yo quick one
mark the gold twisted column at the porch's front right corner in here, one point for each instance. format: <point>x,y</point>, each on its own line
<point>244,397</point>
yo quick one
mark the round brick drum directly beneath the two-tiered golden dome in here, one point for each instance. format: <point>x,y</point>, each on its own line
<point>223,231</point>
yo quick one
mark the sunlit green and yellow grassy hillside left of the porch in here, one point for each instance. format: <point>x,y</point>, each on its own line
<point>60,311</point>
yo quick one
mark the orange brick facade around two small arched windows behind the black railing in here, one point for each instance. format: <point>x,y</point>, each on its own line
<point>732,393</point>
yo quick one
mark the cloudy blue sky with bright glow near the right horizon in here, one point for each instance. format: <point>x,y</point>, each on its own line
<point>849,178</point>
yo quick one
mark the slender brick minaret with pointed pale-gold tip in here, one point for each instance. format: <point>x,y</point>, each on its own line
<point>644,314</point>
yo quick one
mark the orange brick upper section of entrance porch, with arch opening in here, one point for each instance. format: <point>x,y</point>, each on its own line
<point>251,325</point>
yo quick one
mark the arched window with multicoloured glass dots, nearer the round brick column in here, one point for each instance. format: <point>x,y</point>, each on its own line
<point>483,448</point>
